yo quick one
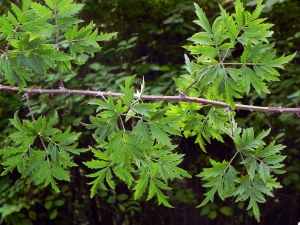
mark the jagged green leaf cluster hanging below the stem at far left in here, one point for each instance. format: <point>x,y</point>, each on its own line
<point>42,153</point>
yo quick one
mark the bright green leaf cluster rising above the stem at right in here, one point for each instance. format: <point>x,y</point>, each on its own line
<point>218,79</point>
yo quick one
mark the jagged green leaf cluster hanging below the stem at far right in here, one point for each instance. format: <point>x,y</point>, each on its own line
<point>261,163</point>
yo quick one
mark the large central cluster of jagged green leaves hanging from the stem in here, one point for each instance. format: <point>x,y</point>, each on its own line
<point>141,156</point>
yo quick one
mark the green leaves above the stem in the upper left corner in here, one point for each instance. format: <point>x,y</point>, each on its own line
<point>34,44</point>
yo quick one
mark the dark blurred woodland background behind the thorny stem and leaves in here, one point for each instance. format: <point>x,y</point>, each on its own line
<point>149,43</point>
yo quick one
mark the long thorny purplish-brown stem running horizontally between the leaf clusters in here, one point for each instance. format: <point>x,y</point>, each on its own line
<point>180,98</point>
